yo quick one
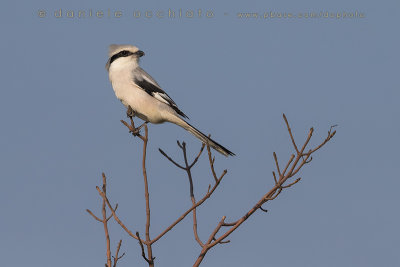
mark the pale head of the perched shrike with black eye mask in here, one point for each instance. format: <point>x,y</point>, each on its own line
<point>123,54</point>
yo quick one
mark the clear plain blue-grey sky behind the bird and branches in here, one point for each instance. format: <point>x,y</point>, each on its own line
<point>234,78</point>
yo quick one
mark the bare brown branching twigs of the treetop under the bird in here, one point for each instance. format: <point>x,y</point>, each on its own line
<point>281,182</point>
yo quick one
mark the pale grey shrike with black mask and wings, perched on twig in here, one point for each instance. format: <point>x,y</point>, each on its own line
<point>139,91</point>
